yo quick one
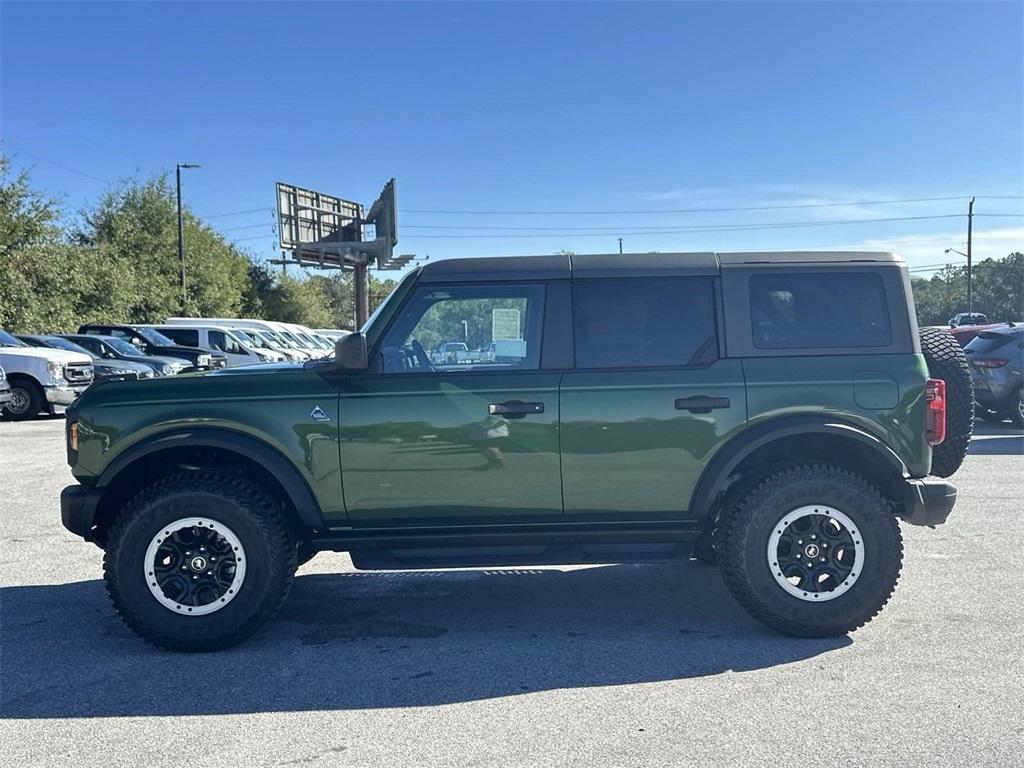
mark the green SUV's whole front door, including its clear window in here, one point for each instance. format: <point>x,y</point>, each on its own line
<point>455,423</point>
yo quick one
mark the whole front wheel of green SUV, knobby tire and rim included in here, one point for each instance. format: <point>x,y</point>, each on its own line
<point>199,562</point>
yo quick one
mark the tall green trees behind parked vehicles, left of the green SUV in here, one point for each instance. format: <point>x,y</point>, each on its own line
<point>118,262</point>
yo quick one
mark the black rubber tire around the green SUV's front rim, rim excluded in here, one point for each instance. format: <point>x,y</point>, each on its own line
<point>231,500</point>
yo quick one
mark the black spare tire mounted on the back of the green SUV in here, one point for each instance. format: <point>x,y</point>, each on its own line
<point>947,361</point>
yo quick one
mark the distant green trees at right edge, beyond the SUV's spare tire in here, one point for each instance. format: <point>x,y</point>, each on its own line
<point>999,291</point>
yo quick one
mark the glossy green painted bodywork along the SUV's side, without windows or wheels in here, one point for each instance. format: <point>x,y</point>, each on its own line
<point>419,451</point>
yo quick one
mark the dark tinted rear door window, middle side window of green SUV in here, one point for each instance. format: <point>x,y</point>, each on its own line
<point>645,323</point>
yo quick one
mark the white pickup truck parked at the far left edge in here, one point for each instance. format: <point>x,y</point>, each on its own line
<point>41,379</point>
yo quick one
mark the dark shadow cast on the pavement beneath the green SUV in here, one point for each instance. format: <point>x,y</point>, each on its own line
<point>358,641</point>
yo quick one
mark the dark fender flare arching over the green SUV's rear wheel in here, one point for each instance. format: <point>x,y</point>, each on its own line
<point>782,442</point>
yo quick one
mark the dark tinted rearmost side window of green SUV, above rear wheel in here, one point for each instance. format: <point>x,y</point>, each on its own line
<point>803,311</point>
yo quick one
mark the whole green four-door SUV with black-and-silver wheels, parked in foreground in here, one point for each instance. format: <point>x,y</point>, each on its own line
<point>772,412</point>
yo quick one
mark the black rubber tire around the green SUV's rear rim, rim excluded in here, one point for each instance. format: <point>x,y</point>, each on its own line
<point>747,529</point>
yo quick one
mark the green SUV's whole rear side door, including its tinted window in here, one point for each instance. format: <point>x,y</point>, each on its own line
<point>650,401</point>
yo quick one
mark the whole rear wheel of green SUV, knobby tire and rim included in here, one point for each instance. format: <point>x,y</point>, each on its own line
<point>813,551</point>
